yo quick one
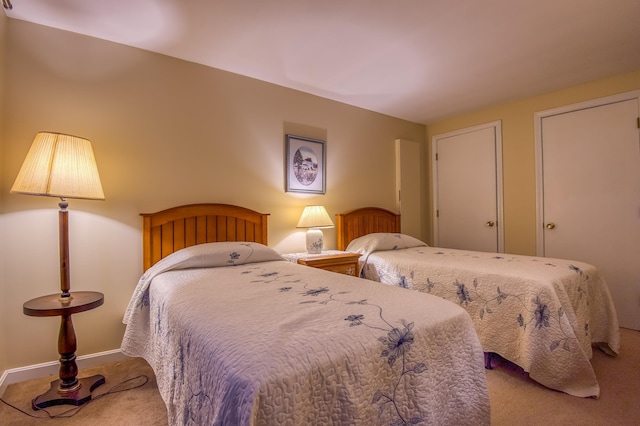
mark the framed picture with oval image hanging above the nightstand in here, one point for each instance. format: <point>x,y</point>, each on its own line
<point>305,166</point>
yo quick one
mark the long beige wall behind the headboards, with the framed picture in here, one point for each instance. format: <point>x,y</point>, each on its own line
<point>165,132</point>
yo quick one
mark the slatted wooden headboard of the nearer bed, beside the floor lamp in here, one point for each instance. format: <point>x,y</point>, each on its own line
<point>173,229</point>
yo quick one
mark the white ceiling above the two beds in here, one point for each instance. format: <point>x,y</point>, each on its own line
<point>420,60</point>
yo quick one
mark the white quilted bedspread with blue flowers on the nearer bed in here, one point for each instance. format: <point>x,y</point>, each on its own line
<point>238,336</point>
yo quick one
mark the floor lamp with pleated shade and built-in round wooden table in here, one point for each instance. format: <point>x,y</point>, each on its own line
<point>63,166</point>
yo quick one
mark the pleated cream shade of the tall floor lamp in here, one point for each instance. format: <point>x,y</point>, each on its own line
<point>59,165</point>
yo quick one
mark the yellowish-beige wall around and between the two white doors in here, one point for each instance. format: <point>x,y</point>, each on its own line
<point>518,152</point>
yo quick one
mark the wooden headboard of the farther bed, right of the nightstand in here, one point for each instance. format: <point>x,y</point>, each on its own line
<point>366,220</point>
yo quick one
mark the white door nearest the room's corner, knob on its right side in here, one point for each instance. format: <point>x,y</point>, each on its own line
<point>468,188</point>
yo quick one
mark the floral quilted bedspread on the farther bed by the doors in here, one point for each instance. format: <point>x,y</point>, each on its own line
<point>540,313</point>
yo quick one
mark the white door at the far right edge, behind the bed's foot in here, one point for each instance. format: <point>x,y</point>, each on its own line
<point>589,164</point>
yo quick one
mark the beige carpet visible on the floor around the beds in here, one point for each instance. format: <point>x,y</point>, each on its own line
<point>515,400</point>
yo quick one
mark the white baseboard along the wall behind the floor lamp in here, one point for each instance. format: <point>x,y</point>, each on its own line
<point>52,368</point>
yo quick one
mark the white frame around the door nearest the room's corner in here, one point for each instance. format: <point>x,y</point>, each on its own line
<point>497,130</point>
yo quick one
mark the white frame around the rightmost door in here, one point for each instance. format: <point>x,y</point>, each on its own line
<point>538,117</point>
